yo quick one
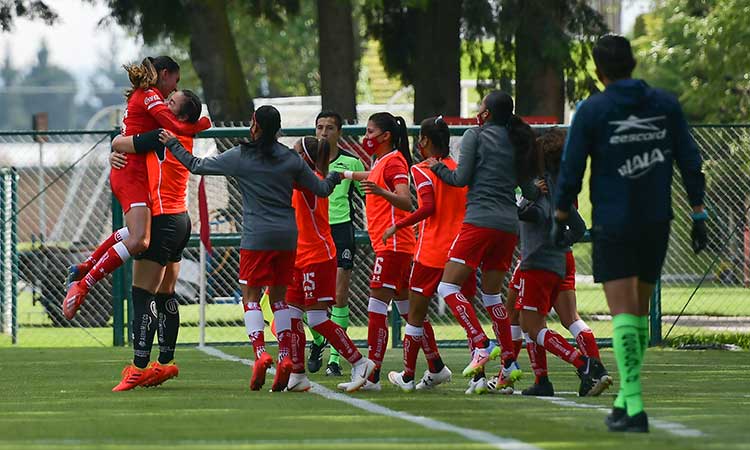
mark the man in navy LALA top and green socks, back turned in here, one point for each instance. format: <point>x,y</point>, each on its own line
<point>633,134</point>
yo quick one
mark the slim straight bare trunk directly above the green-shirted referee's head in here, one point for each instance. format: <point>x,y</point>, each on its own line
<point>336,52</point>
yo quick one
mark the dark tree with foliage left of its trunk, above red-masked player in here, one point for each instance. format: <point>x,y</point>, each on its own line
<point>421,45</point>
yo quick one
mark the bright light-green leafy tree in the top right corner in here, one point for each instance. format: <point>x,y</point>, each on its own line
<point>697,50</point>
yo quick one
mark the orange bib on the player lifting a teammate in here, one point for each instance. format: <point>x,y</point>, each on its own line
<point>168,180</point>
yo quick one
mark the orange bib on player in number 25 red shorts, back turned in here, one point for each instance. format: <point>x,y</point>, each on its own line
<point>314,241</point>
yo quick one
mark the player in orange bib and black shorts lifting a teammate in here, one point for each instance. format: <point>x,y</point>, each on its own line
<point>155,271</point>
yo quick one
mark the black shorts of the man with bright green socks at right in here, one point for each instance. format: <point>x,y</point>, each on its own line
<point>638,251</point>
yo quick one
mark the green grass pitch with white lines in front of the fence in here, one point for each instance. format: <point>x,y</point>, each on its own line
<point>60,398</point>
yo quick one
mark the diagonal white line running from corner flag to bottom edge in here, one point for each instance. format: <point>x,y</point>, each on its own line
<point>432,424</point>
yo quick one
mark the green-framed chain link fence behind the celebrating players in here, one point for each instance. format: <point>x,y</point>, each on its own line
<point>57,207</point>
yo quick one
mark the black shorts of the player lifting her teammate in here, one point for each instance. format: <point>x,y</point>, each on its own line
<point>169,236</point>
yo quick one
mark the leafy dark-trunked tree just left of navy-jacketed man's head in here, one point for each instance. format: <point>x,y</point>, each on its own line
<point>550,43</point>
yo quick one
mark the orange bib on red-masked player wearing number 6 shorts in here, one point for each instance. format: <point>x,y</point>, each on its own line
<point>387,172</point>
